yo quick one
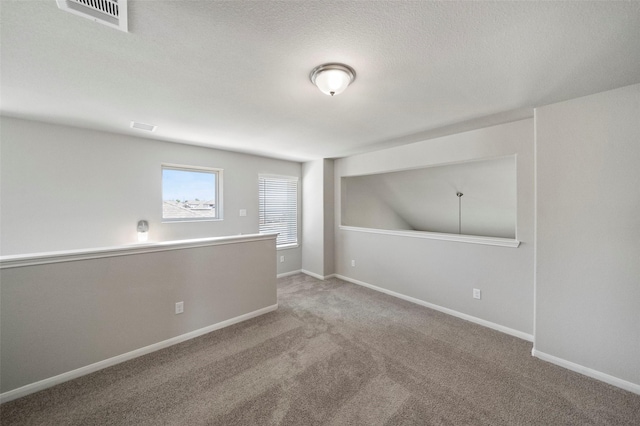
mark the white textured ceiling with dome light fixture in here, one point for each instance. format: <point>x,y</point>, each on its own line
<point>235,75</point>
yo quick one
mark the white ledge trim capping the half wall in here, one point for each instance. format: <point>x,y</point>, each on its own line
<point>19,260</point>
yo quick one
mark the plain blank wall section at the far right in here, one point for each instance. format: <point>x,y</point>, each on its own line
<point>588,232</point>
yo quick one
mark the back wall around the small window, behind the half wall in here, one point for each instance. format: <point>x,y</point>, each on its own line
<point>69,188</point>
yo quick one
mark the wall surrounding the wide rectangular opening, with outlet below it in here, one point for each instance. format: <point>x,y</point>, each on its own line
<point>444,272</point>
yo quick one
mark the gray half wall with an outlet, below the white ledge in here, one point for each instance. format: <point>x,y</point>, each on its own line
<point>59,317</point>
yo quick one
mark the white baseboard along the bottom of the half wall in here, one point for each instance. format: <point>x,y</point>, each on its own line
<point>73,374</point>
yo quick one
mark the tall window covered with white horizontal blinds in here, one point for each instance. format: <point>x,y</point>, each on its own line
<point>278,198</point>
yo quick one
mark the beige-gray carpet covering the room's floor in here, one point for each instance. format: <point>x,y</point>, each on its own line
<point>337,354</point>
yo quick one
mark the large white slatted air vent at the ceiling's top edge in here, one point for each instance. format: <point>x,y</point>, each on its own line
<point>109,12</point>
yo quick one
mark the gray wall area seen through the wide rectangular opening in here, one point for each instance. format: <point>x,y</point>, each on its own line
<point>425,199</point>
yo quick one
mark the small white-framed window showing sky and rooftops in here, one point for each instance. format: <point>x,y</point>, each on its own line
<point>191,193</point>
